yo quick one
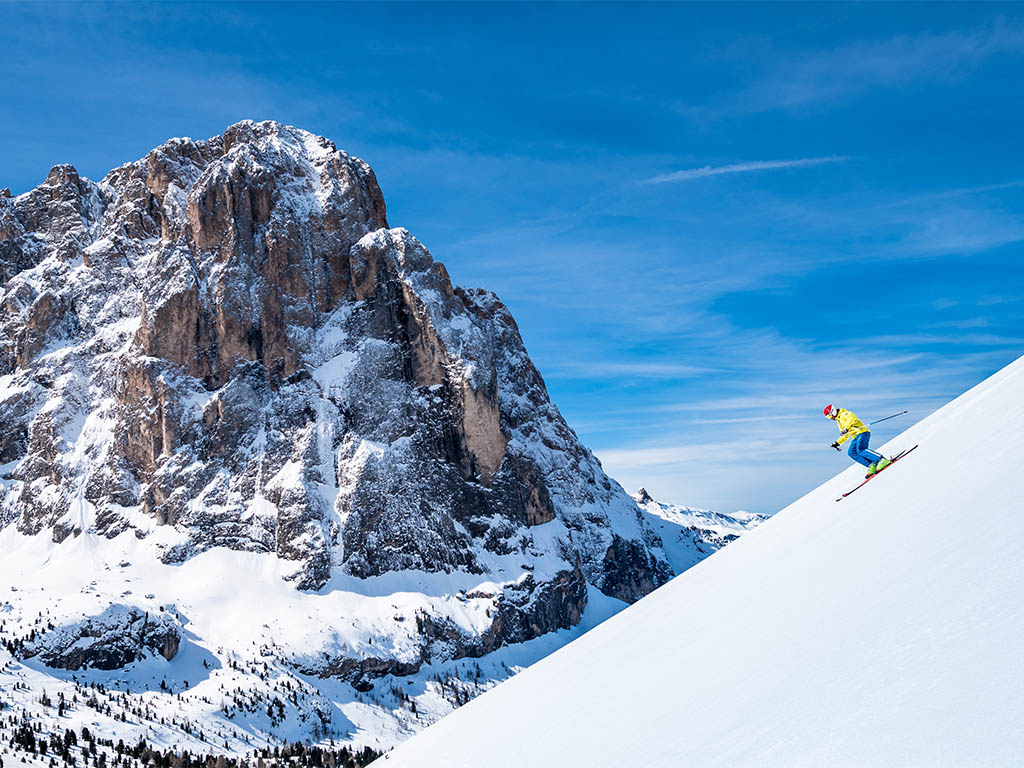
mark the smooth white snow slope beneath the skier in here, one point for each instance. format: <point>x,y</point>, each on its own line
<point>884,631</point>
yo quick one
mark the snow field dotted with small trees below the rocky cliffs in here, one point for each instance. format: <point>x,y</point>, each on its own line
<point>246,634</point>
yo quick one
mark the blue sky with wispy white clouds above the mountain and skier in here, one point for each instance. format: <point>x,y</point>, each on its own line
<point>709,221</point>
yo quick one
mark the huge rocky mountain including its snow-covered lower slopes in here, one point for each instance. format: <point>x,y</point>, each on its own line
<point>266,474</point>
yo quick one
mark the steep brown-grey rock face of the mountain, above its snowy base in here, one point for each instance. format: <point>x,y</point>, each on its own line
<point>224,345</point>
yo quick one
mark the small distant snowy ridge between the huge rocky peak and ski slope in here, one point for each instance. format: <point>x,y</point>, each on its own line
<point>690,535</point>
